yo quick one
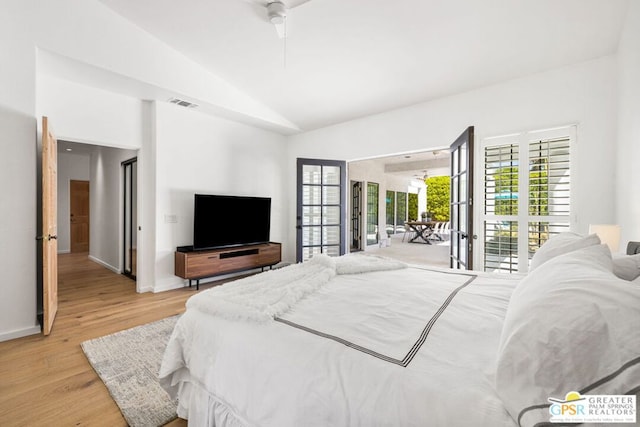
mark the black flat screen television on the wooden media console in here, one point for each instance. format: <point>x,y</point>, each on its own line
<point>225,221</point>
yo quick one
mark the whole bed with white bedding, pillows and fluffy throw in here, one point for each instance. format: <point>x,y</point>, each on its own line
<point>360,340</point>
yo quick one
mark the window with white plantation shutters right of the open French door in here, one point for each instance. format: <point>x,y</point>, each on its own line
<point>535,198</point>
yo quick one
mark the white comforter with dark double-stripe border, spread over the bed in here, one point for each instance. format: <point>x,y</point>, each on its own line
<point>405,347</point>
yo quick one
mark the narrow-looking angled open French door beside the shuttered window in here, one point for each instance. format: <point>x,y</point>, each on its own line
<point>462,201</point>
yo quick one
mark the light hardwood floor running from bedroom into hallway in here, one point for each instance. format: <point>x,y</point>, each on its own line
<point>47,381</point>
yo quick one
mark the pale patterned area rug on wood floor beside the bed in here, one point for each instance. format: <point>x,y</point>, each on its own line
<point>128,363</point>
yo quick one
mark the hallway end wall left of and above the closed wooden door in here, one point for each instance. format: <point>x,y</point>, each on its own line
<point>71,166</point>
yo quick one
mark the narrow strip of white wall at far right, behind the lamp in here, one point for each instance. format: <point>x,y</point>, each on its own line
<point>628,182</point>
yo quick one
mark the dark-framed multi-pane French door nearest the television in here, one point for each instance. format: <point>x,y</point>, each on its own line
<point>321,208</point>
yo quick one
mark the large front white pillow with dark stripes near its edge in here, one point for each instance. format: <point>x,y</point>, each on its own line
<point>571,325</point>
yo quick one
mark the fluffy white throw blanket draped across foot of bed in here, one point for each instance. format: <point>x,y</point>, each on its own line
<point>265,296</point>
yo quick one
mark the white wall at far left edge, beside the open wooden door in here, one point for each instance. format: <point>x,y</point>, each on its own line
<point>17,173</point>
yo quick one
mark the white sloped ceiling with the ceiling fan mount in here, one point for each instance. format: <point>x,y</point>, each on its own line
<point>351,58</point>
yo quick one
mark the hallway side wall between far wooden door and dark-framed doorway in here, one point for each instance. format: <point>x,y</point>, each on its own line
<point>105,200</point>
